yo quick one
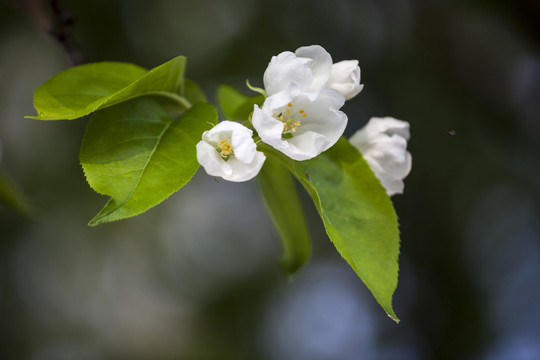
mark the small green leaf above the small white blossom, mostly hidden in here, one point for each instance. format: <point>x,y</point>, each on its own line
<point>235,105</point>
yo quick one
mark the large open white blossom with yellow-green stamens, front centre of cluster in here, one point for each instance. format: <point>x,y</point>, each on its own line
<point>301,124</point>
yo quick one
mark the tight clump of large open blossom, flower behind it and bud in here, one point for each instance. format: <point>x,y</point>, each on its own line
<point>301,116</point>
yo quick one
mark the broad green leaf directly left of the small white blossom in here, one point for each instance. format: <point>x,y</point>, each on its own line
<point>139,155</point>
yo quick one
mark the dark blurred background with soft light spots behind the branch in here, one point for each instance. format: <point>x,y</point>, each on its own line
<point>188,280</point>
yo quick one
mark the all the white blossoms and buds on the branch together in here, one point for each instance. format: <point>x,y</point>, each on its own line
<point>301,118</point>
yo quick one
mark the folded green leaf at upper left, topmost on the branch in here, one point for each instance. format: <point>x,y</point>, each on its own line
<point>81,90</point>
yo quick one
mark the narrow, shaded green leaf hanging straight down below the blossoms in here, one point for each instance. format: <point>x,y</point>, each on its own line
<point>283,204</point>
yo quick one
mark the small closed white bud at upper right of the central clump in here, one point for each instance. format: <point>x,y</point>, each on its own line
<point>345,78</point>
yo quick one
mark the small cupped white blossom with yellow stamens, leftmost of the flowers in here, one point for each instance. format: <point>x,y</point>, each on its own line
<point>228,151</point>
